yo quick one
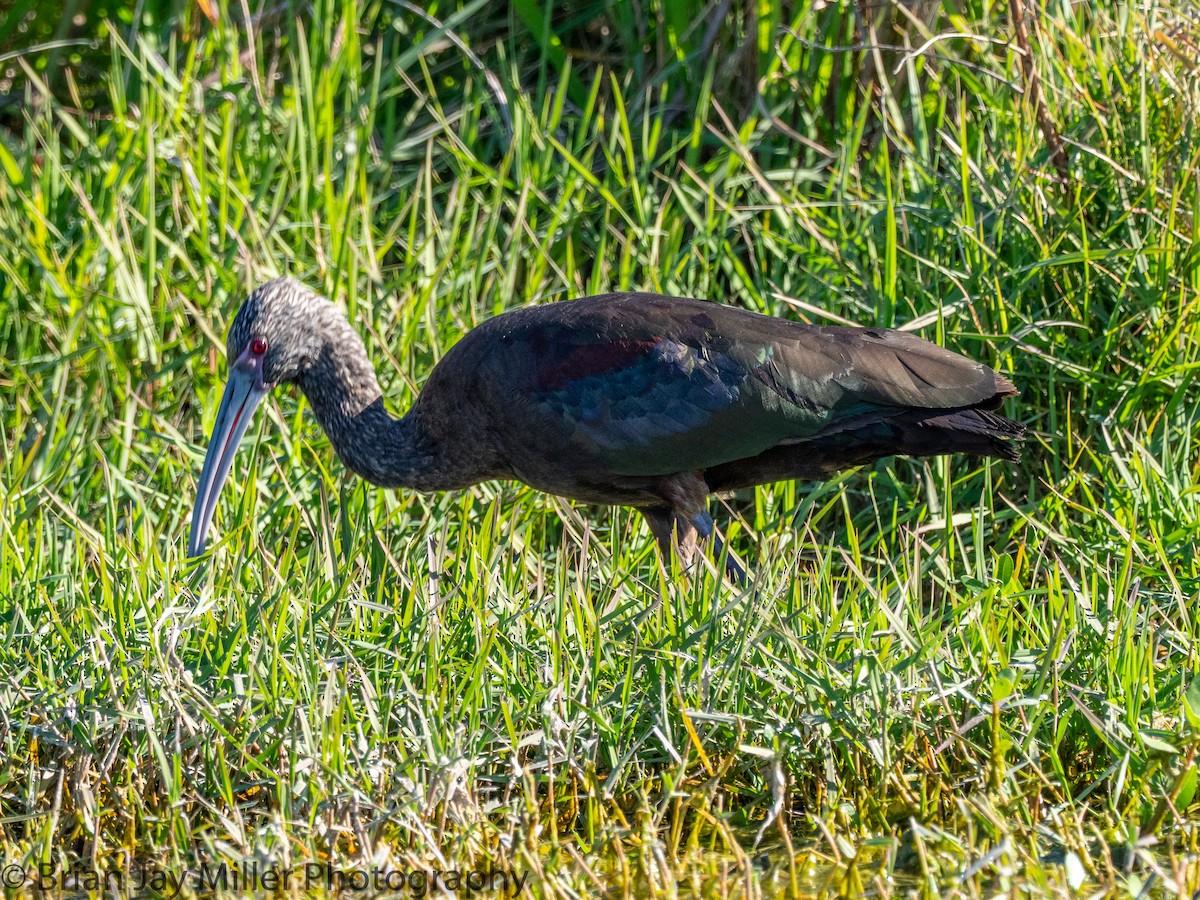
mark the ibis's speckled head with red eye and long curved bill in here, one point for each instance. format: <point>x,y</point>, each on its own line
<point>279,335</point>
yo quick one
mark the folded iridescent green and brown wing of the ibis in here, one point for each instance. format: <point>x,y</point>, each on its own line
<point>655,386</point>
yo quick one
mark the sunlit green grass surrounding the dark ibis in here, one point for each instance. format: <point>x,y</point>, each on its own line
<point>947,679</point>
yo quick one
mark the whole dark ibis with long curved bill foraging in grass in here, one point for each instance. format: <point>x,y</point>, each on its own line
<point>639,400</point>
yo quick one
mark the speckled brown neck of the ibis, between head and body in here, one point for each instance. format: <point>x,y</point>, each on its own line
<point>343,389</point>
